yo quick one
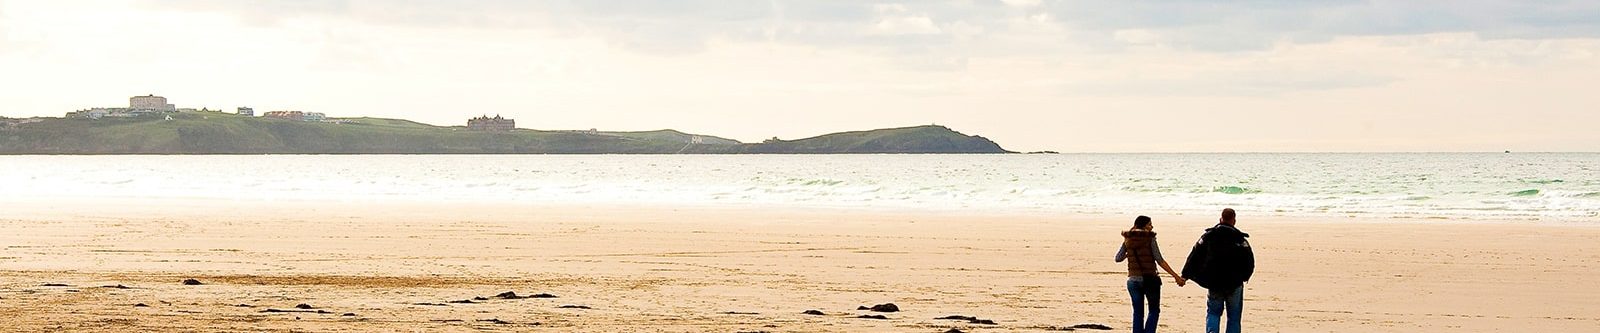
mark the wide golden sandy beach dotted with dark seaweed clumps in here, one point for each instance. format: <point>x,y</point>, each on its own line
<point>418,268</point>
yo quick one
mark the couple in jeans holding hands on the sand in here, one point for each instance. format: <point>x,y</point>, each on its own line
<point>1222,263</point>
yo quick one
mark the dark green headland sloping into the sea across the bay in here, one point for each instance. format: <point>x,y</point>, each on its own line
<point>226,134</point>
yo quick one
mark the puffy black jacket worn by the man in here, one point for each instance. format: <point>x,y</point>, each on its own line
<point>1222,260</point>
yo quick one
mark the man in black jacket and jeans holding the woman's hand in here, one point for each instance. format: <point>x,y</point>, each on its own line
<point>1222,263</point>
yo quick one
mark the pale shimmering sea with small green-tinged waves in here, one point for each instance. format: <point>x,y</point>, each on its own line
<point>1346,187</point>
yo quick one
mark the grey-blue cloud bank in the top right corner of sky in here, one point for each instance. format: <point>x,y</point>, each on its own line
<point>1244,26</point>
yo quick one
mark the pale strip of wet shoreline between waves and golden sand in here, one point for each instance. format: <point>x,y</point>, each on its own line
<point>151,209</point>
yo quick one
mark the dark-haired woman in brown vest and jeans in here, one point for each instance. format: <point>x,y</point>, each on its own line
<point>1143,255</point>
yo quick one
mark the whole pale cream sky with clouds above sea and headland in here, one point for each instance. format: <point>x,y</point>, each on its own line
<point>1070,76</point>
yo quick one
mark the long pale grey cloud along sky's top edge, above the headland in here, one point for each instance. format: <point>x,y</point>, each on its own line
<point>658,28</point>
